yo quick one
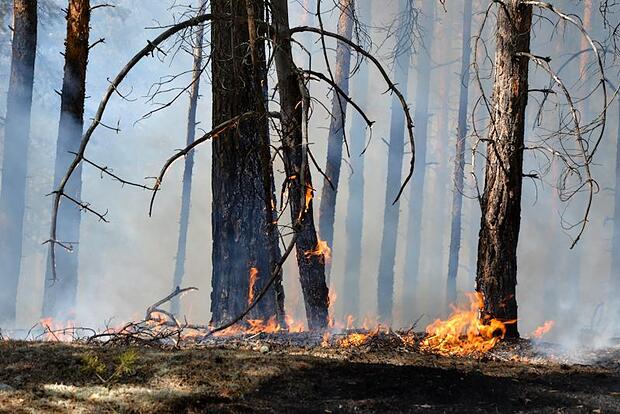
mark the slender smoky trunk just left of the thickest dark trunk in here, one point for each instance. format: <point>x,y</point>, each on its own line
<point>179,268</point>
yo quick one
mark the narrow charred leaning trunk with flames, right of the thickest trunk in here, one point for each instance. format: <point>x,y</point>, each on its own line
<point>290,84</point>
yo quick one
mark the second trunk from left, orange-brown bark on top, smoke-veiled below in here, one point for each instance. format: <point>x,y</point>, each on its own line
<point>60,295</point>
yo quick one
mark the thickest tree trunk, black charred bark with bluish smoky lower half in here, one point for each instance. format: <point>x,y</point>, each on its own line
<point>244,236</point>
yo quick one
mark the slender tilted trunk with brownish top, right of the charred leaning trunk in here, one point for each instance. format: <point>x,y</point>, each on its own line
<point>335,139</point>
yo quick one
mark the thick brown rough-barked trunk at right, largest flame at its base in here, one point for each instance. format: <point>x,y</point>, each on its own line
<point>501,201</point>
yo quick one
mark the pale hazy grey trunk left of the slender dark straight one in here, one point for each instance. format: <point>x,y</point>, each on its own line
<point>421,119</point>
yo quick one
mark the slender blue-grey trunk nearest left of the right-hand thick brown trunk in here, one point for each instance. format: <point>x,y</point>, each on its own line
<point>459,158</point>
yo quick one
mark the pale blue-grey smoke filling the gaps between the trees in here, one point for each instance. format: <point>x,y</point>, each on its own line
<point>128,264</point>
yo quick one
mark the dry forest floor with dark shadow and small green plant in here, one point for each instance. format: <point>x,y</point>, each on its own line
<point>260,376</point>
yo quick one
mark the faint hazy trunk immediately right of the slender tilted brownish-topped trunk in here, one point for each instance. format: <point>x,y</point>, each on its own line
<point>354,222</point>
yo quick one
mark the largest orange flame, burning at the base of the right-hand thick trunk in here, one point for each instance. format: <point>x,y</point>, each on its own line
<point>464,333</point>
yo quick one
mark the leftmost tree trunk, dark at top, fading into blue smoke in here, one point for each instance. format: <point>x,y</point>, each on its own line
<point>16,137</point>
